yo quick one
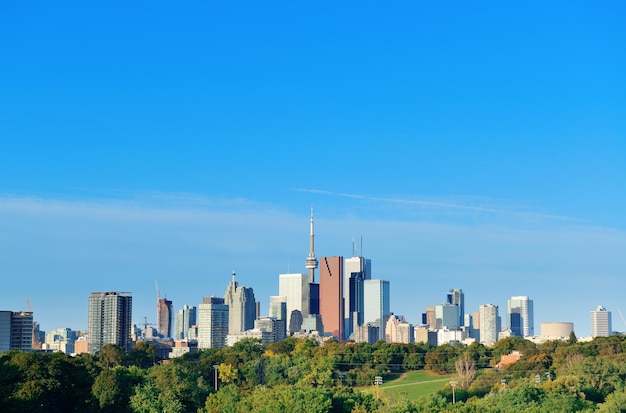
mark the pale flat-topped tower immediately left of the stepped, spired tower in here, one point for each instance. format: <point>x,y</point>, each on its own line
<point>212,323</point>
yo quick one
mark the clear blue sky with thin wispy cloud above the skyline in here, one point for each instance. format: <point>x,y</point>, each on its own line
<point>474,145</point>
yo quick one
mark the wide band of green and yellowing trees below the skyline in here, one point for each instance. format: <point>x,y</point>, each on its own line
<point>299,375</point>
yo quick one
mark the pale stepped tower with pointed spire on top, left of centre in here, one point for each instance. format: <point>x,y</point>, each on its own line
<point>241,307</point>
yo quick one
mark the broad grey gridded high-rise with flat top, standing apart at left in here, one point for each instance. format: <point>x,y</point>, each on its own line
<point>110,320</point>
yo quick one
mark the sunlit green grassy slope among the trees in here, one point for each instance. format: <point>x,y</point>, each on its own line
<point>413,385</point>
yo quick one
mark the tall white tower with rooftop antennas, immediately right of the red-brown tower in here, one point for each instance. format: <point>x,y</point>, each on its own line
<point>356,270</point>
